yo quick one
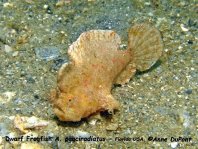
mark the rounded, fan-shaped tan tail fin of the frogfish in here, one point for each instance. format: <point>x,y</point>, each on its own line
<point>145,44</point>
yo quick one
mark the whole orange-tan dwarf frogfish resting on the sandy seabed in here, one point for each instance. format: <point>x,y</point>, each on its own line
<point>96,63</point>
